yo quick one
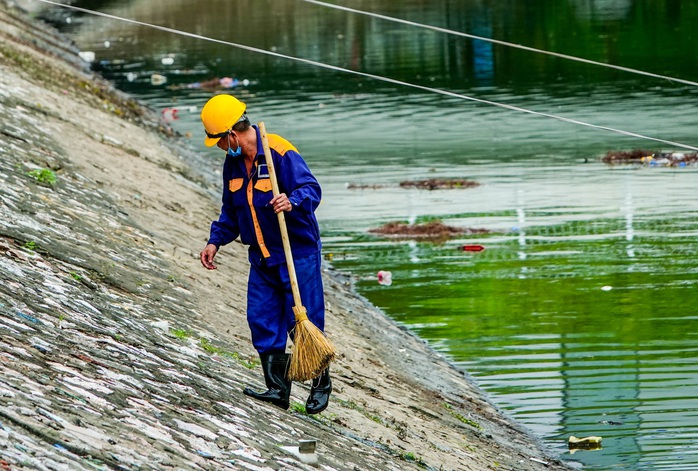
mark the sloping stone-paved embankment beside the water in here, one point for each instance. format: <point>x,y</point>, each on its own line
<point>118,351</point>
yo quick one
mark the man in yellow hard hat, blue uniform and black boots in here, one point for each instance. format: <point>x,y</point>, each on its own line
<point>250,212</point>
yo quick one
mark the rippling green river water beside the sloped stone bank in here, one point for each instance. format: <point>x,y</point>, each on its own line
<point>579,317</point>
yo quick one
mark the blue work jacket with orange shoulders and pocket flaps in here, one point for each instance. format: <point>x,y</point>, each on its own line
<point>246,211</point>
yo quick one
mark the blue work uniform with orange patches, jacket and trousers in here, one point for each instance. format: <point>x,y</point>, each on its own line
<point>246,213</point>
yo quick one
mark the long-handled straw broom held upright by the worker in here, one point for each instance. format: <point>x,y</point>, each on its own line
<point>312,350</point>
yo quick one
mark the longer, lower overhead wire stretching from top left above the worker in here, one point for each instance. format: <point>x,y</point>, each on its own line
<point>371,76</point>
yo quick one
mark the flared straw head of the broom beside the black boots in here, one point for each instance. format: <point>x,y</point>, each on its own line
<point>312,350</point>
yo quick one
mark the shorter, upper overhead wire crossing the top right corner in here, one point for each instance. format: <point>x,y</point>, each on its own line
<point>499,42</point>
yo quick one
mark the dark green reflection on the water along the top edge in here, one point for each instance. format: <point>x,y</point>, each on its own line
<point>605,31</point>
